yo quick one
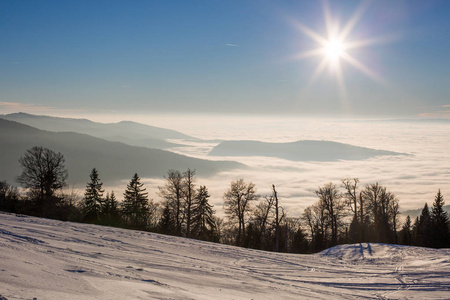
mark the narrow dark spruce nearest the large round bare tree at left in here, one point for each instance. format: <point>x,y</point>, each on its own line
<point>93,198</point>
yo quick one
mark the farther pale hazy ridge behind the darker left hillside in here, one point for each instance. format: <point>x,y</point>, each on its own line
<point>131,133</point>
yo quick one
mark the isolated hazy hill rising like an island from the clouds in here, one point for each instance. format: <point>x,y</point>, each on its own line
<point>298,151</point>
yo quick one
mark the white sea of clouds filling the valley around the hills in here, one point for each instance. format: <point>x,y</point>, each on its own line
<point>415,178</point>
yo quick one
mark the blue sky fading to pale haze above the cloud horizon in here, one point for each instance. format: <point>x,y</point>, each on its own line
<point>246,57</point>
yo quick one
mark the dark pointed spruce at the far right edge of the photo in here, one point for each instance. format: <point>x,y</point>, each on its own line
<point>439,223</point>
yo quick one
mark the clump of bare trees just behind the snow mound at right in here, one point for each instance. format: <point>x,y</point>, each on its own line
<point>373,213</point>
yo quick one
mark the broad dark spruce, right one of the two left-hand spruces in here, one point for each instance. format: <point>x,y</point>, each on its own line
<point>135,207</point>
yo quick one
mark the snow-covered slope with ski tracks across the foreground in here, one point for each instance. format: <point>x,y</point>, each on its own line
<point>47,259</point>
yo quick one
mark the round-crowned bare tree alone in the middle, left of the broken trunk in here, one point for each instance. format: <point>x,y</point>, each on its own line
<point>237,203</point>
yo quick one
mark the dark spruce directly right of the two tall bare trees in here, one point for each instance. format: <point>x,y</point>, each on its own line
<point>203,223</point>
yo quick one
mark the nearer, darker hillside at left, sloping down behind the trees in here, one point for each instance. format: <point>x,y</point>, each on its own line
<point>114,160</point>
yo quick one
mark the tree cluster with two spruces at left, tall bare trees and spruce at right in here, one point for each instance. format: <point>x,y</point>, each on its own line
<point>185,210</point>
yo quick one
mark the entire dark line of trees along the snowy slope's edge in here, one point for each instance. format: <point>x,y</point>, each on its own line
<point>348,213</point>
